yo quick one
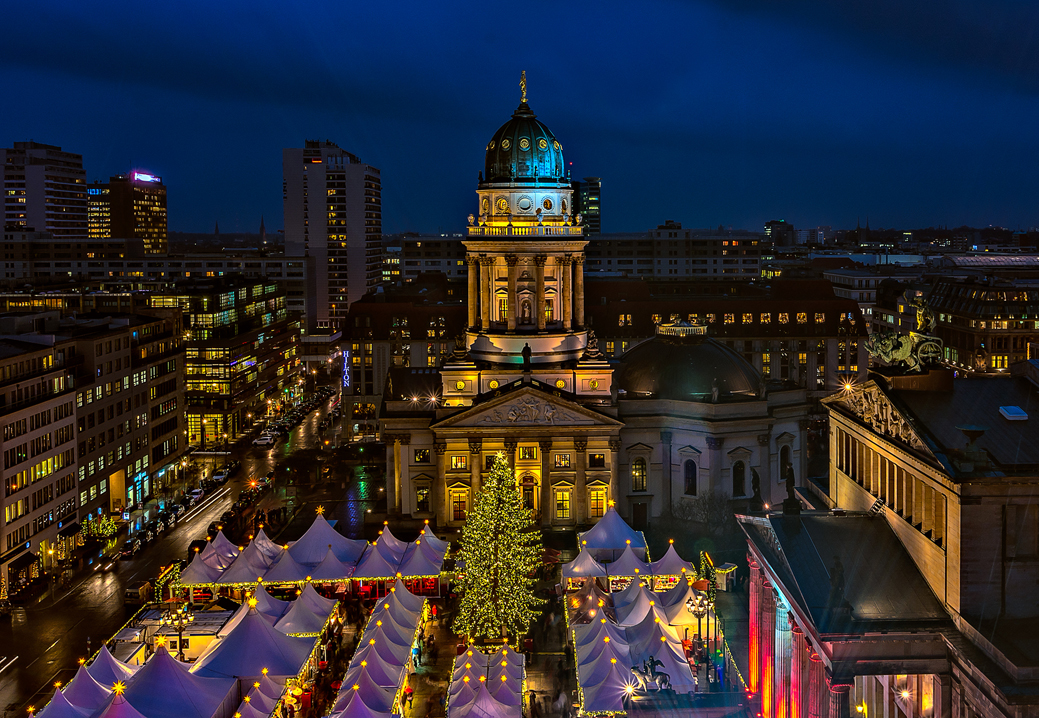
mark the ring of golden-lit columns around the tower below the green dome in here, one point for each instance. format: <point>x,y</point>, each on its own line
<point>483,291</point>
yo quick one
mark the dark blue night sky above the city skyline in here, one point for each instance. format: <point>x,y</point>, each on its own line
<point>706,113</point>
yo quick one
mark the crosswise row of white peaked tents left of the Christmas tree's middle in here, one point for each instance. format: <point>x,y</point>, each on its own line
<point>322,554</point>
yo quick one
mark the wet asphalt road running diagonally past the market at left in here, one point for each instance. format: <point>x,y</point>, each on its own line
<point>42,642</point>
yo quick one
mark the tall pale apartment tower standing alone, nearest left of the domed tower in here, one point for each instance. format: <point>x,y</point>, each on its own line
<point>333,218</point>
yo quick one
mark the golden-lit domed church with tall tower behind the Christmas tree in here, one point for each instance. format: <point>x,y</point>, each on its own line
<point>678,418</point>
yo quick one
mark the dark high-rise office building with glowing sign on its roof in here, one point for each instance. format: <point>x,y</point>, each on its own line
<point>129,207</point>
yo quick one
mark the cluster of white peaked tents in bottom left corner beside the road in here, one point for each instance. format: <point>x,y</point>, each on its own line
<point>267,644</point>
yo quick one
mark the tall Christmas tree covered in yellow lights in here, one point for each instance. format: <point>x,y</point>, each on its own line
<point>501,550</point>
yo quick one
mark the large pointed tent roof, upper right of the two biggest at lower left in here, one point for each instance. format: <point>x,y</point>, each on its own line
<point>253,646</point>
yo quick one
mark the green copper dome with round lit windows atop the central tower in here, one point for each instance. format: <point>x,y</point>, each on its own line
<point>524,150</point>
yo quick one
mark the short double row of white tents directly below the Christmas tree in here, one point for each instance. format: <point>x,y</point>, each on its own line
<point>488,685</point>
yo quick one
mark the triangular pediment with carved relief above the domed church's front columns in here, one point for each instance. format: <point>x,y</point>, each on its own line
<point>526,408</point>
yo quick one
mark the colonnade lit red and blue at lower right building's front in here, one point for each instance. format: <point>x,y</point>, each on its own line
<point>785,669</point>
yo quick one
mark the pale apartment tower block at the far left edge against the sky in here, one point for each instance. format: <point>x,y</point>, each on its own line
<point>45,189</point>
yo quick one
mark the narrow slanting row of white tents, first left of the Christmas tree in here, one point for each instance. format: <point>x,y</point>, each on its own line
<point>379,671</point>
